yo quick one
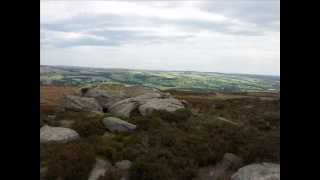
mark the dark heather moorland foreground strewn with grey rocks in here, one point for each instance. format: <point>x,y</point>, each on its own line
<point>120,132</point>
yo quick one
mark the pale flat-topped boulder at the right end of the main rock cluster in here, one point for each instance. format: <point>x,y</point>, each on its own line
<point>167,104</point>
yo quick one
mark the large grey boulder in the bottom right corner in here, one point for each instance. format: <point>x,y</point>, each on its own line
<point>262,171</point>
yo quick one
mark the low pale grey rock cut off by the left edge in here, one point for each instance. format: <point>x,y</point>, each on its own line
<point>57,134</point>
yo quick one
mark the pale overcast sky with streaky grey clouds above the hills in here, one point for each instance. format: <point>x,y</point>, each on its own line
<point>233,36</point>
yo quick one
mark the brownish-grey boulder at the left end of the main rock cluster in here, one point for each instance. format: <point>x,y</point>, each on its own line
<point>77,103</point>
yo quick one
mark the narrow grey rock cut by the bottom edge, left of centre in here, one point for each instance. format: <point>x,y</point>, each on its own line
<point>100,167</point>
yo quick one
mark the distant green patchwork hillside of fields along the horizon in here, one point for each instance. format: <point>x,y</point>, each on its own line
<point>164,80</point>
